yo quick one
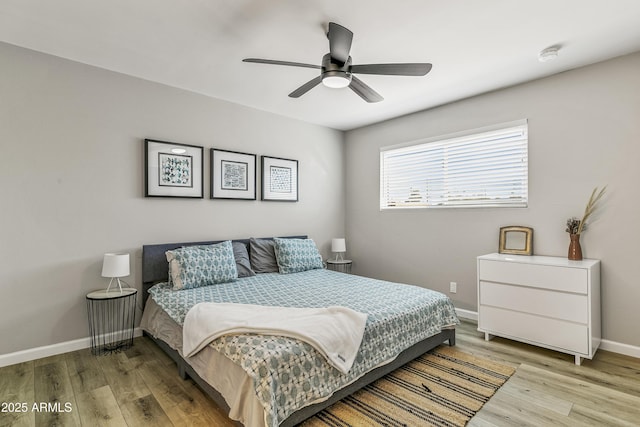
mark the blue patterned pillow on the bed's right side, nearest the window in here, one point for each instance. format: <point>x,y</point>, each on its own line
<point>294,255</point>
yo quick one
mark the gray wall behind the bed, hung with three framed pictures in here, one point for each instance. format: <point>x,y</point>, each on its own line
<point>71,184</point>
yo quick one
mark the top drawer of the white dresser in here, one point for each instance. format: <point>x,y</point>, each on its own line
<point>534,275</point>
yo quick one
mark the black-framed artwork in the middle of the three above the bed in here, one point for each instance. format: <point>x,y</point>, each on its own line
<point>233,175</point>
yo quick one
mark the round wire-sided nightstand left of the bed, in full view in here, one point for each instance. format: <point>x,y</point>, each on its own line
<point>111,319</point>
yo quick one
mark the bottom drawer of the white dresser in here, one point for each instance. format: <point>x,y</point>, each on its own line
<point>543,331</point>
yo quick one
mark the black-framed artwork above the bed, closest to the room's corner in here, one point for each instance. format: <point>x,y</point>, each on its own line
<point>279,179</point>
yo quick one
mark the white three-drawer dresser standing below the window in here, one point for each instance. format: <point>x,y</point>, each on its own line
<point>551,302</point>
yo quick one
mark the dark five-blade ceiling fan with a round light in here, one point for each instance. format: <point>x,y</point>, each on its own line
<point>337,71</point>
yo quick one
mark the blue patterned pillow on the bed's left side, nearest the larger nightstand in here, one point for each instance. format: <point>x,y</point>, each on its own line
<point>195,266</point>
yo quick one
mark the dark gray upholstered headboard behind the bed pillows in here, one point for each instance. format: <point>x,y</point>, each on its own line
<point>154,261</point>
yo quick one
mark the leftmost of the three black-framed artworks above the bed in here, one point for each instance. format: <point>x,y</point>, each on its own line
<point>172,169</point>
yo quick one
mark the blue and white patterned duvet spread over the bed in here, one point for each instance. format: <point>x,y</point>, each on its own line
<point>289,374</point>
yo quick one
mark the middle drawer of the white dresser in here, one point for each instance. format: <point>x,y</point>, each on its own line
<point>559,305</point>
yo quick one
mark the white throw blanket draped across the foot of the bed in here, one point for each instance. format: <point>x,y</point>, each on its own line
<point>336,332</point>
